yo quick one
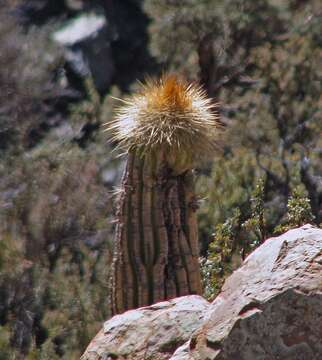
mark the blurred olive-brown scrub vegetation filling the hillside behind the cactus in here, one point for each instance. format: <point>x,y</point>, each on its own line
<point>261,60</point>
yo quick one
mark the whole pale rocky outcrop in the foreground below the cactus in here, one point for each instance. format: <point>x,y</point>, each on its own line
<point>270,308</point>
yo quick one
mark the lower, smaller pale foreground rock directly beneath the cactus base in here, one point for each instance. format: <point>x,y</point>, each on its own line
<point>152,332</point>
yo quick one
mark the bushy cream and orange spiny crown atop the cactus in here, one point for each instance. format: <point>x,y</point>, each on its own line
<point>171,116</point>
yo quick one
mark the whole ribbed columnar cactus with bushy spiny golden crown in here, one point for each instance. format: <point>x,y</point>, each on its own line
<point>167,129</point>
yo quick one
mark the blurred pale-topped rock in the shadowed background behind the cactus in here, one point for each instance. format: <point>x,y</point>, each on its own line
<point>87,42</point>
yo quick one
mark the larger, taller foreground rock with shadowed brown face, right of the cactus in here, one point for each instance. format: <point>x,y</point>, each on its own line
<point>271,308</point>
